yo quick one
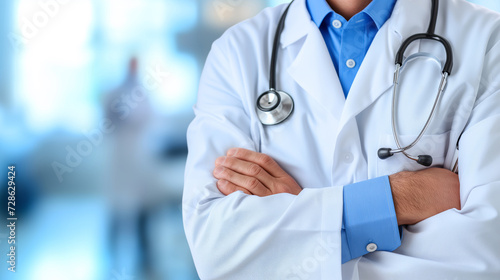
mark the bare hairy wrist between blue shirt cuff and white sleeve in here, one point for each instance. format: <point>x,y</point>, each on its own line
<point>422,194</point>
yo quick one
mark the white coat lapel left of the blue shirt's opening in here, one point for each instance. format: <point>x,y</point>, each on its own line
<point>312,67</point>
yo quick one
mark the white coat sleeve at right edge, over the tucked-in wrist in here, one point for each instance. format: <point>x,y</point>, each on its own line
<point>463,244</point>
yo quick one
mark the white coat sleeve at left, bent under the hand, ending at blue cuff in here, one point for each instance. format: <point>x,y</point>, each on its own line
<point>248,237</point>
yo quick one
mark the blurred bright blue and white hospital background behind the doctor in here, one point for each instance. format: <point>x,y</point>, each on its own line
<point>95,100</point>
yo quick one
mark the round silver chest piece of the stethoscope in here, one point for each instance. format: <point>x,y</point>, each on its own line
<point>274,107</point>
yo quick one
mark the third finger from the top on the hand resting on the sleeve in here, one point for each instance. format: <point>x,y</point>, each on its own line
<point>251,184</point>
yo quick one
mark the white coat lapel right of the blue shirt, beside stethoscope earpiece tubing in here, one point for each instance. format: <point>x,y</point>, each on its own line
<point>376,73</point>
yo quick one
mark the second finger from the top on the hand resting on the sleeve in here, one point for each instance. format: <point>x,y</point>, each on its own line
<point>247,168</point>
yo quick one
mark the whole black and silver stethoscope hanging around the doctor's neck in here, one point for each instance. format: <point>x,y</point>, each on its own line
<point>275,106</point>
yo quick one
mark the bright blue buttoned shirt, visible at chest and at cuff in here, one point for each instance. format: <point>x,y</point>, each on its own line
<point>369,220</point>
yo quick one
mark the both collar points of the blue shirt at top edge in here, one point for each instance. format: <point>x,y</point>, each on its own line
<point>378,10</point>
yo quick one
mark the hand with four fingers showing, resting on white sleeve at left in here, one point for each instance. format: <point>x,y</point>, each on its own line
<point>253,173</point>
